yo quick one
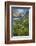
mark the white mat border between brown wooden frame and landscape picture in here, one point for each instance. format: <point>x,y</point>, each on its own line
<point>30,24</point>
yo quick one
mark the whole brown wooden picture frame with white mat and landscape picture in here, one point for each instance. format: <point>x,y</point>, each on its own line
<point>19,22</point>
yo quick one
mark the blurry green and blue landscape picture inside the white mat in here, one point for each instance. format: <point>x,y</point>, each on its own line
<point>20,21</point>
